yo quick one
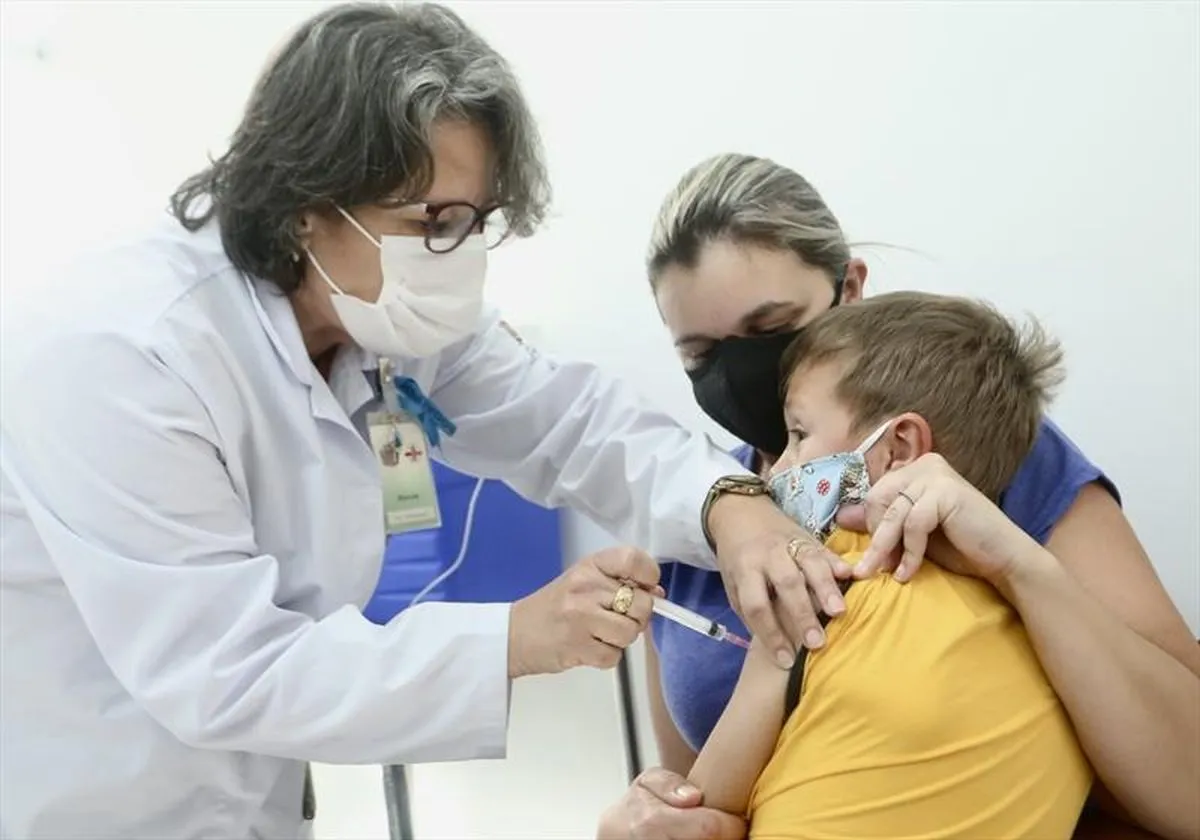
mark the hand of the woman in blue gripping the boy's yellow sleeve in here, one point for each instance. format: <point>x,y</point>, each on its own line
<point>927,508</point>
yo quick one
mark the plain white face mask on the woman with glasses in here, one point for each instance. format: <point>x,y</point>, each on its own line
<point>428,301</point>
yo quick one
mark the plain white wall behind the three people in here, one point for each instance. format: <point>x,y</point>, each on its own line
<point>1041,155</point>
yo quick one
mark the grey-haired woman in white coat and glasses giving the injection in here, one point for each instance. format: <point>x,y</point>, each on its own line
<point>194,518</point>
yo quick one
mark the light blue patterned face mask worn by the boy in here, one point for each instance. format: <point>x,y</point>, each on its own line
<point>811,494</point>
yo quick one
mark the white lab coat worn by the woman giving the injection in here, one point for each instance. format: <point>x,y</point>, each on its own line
<point>193,523</point>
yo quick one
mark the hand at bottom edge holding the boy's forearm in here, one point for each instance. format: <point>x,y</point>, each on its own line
<point>662,806</point>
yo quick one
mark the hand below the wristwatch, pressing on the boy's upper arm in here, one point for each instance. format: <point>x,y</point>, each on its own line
<point>778,575</point>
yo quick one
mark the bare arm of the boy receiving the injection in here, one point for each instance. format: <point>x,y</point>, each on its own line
<point>745,737</point>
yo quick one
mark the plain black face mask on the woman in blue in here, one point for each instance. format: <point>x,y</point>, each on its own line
<point>740,386</point>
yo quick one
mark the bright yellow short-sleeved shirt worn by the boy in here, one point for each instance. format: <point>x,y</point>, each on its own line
<point>926,716</point>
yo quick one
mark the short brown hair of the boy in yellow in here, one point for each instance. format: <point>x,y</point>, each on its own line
<point>980,381</point>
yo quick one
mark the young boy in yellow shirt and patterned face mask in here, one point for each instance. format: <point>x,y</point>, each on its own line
<point>927,713</point>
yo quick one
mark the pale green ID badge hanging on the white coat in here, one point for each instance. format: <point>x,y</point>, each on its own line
<point>410,494</point>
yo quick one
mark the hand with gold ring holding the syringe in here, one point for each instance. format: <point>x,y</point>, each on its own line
<point>587,616</point>
